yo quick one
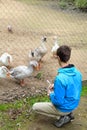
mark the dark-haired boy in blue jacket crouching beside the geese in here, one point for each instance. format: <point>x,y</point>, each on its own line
<point>64,94</point>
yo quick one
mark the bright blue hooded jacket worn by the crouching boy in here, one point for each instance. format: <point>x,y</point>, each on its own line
<point>67,89</point>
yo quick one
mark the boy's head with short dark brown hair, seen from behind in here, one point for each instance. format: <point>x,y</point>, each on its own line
<point>64,53</point>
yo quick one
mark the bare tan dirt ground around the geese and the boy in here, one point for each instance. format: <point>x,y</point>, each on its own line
<point>29,23</point>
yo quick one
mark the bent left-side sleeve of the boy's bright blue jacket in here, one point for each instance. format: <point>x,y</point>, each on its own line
<point>57,96</point>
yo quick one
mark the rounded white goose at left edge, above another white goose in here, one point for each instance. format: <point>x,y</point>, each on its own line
<point>6,59</point>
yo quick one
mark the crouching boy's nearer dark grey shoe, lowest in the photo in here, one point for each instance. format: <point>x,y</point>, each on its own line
<point>63,120</point>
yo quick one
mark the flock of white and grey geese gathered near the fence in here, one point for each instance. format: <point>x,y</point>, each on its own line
<point>21,72</point>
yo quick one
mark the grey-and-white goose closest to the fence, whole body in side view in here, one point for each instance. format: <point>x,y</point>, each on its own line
<point>21,72</point>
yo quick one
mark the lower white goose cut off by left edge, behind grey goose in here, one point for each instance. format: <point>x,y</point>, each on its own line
<point>4,72</point>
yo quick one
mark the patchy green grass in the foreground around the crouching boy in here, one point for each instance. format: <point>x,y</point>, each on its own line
<point>15,115</point>
